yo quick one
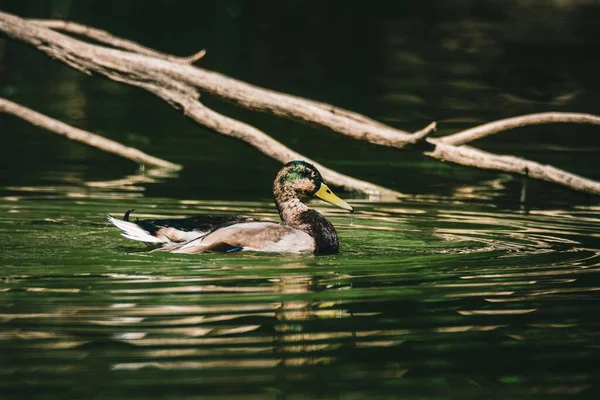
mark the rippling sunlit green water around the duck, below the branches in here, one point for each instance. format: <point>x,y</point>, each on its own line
<point>431,298</point>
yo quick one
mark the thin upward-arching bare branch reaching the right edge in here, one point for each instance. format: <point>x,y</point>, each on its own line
<point>492,128</point>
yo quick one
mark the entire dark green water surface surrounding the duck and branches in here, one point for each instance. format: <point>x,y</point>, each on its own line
<point>457,292</point>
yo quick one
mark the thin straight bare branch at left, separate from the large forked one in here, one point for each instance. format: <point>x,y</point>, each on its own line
<point>82,136</point>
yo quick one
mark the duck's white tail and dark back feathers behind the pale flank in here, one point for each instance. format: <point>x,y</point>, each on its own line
<point>173,230</point>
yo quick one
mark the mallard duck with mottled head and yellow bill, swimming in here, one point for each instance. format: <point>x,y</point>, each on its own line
<point>302,230</point>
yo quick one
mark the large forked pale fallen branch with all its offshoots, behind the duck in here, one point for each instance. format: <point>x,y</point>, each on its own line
<point>177,82</point>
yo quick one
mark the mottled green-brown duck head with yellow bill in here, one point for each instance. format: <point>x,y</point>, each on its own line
<point>299,180</point>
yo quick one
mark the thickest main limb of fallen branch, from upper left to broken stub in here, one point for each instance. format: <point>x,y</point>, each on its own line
<point>87,57</point>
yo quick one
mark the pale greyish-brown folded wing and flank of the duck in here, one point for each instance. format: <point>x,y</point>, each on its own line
<point>249,236</point>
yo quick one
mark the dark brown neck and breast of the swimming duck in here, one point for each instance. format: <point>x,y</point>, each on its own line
<point>298,215</point>
